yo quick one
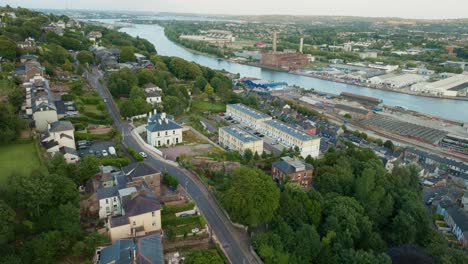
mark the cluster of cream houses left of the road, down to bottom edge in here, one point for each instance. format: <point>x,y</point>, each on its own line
<point>127,200</point>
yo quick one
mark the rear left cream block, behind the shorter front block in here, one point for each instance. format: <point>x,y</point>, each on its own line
<point>247,115</point>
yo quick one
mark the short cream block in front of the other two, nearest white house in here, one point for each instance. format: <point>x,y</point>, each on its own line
<point>234,138</point>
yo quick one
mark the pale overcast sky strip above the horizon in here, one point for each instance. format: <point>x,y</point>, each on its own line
<point>375,8</point>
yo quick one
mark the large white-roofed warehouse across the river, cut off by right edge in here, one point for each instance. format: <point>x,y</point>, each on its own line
<point>456,85</point>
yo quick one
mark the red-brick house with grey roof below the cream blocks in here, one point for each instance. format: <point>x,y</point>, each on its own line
<point>292,170</point>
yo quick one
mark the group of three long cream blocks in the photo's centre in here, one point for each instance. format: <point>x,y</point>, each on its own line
<point>280,132</point>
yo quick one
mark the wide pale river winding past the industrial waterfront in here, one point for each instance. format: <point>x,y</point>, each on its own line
<point>444,108</point>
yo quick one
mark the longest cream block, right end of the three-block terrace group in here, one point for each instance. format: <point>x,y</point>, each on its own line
<point>291,137</point>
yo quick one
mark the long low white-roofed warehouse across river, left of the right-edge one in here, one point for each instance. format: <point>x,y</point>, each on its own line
<point>395,80</point>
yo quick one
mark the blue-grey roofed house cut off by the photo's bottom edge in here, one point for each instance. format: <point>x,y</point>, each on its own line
<point>142,250</point>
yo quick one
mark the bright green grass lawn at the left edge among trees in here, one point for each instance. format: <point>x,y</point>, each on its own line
<point>20,158</point>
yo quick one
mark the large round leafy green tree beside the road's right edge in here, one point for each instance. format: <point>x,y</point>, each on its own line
<point>252,197</point>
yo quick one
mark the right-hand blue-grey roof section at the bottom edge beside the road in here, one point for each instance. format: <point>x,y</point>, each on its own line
<point>150,250</point>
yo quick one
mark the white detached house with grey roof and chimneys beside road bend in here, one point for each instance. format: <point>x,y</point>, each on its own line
<point>162,130</point>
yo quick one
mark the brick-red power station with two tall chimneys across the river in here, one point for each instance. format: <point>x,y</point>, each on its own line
<point>287,59</point>
